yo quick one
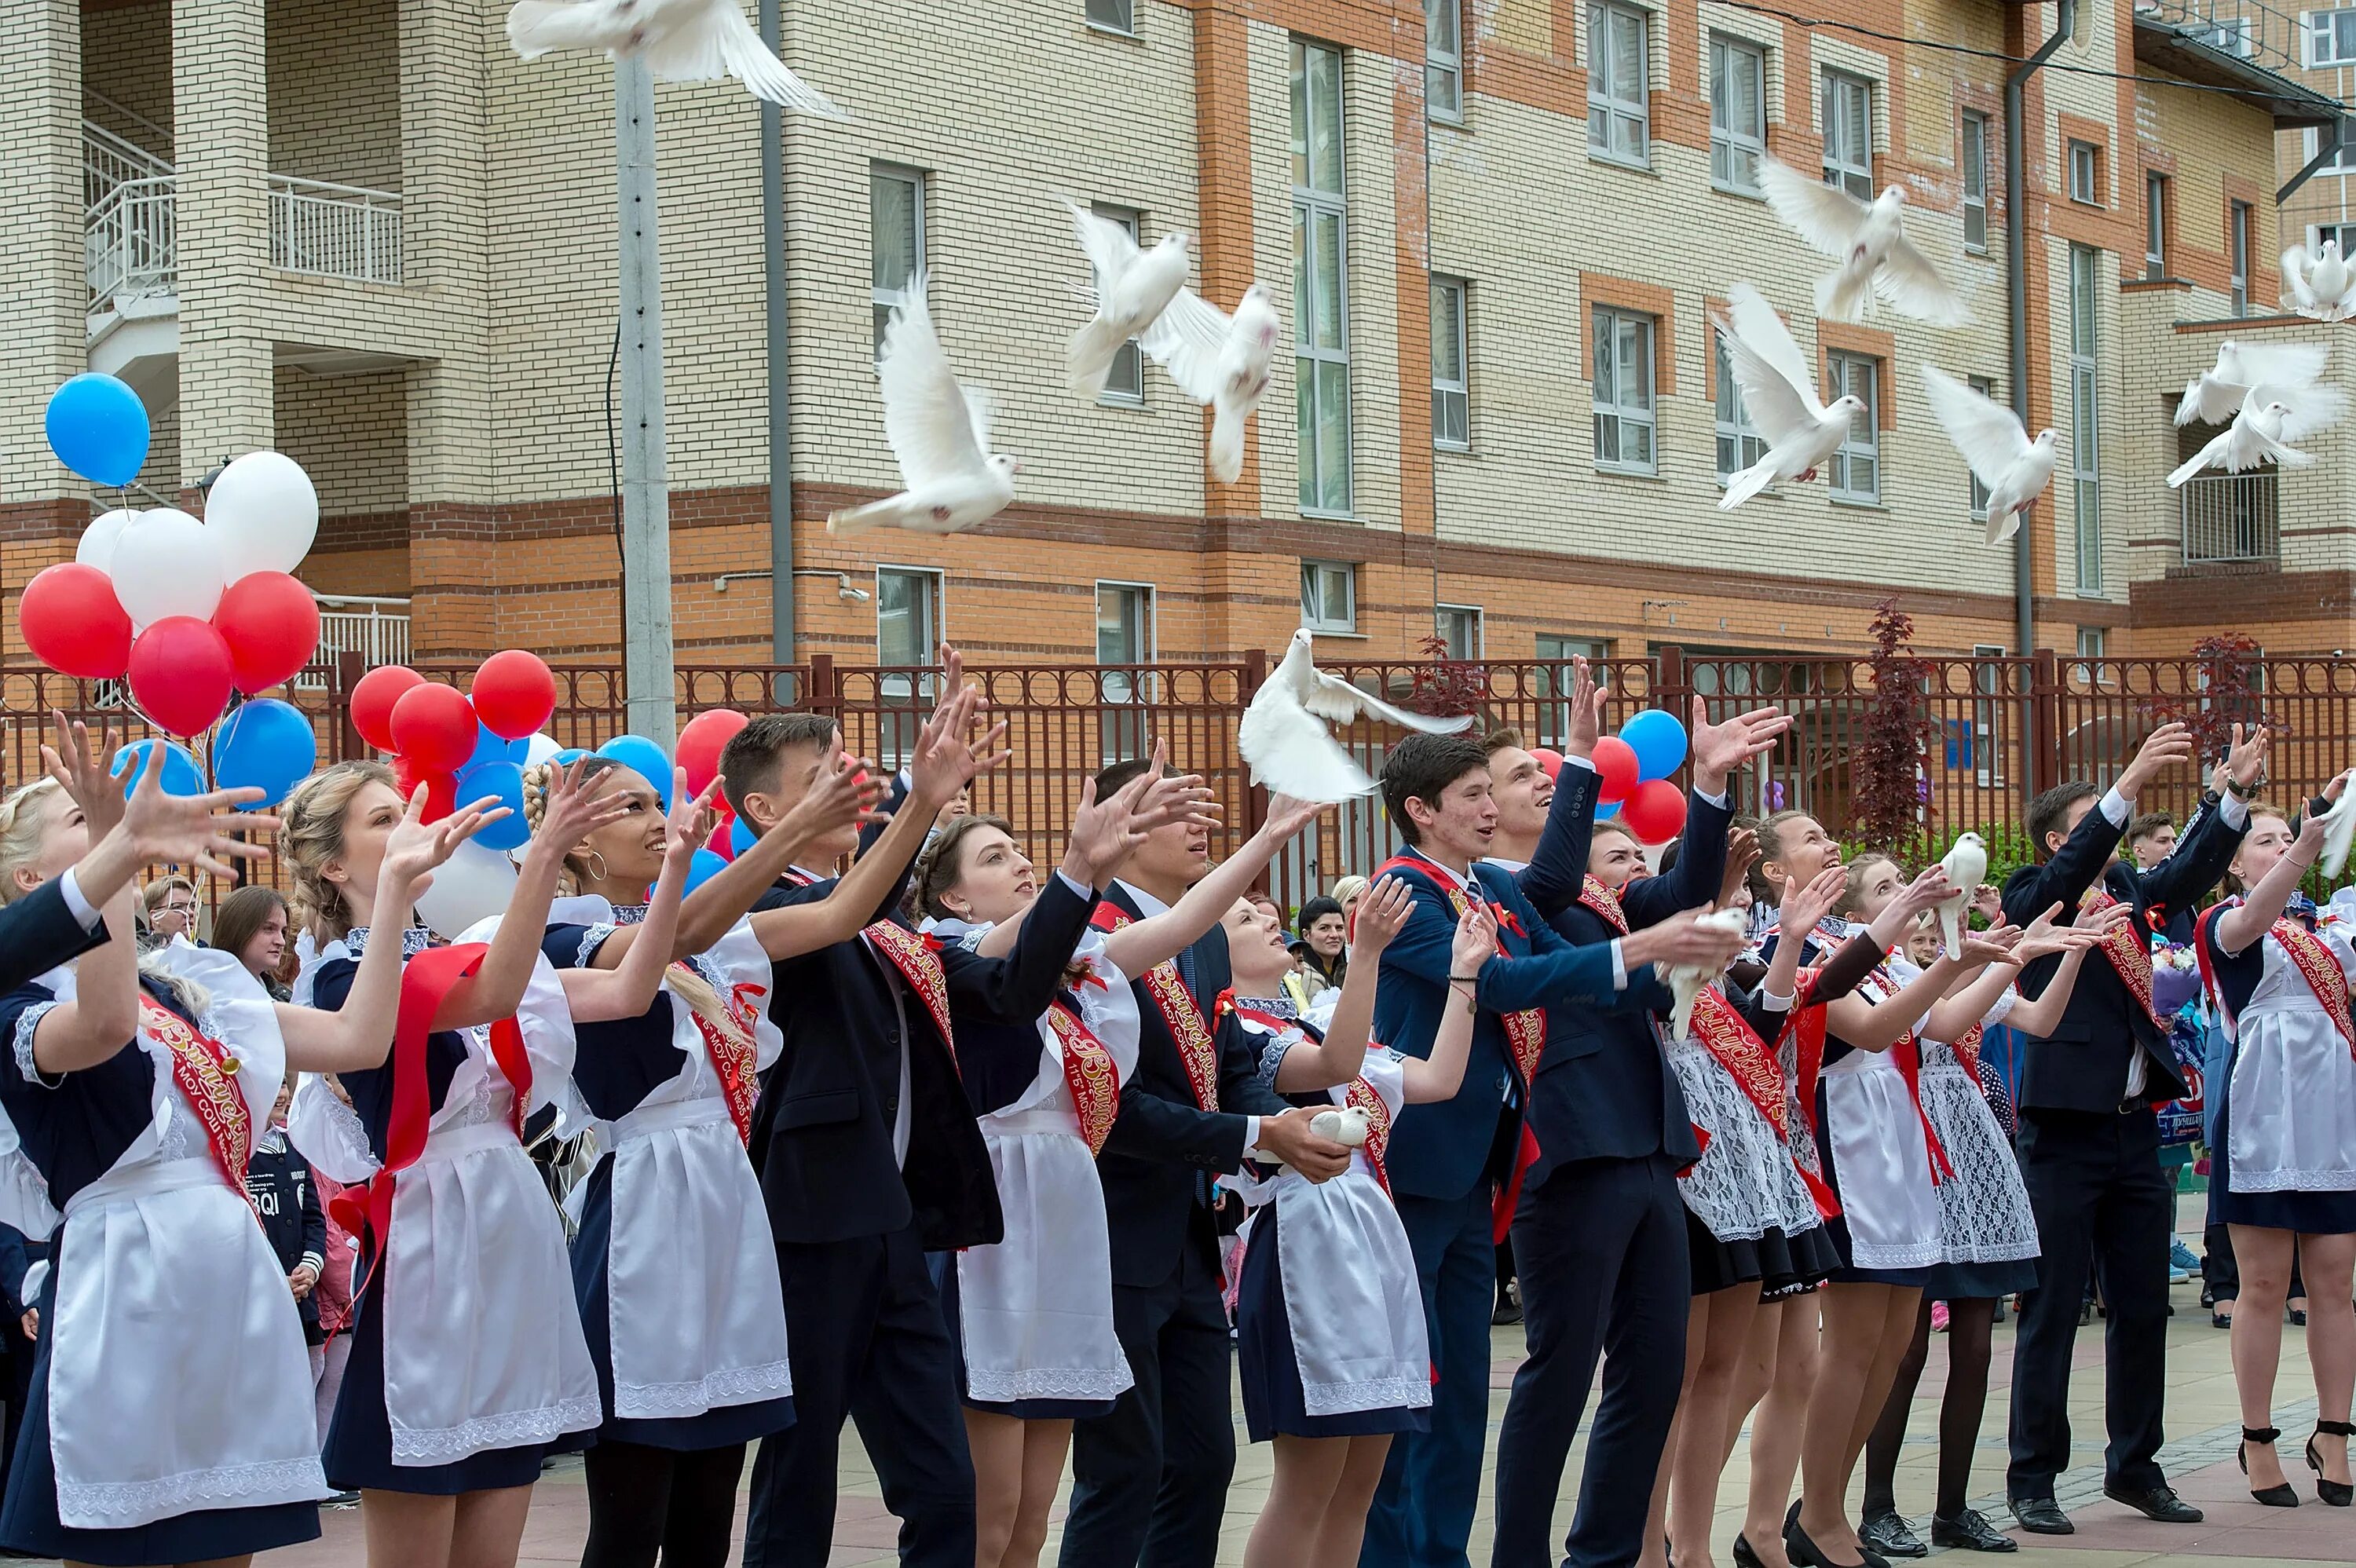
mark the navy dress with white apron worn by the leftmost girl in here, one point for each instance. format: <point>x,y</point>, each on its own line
<point>168,1414</point>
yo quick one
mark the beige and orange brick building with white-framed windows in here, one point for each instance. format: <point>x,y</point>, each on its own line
<point>364,234</point>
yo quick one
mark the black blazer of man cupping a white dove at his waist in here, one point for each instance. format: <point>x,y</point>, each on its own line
<point>1165,1148</point>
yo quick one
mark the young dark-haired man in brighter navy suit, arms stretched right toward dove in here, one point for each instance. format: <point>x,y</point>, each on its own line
<point>1445,1157</point>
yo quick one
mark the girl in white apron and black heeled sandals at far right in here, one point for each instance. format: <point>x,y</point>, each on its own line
<point>2286,1141</point>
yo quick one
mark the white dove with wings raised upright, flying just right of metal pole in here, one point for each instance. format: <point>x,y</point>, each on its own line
<point>937,430</point>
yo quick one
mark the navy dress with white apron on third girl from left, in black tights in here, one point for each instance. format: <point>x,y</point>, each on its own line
<point>675,1268</point>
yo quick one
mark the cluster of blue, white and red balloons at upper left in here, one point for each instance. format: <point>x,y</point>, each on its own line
<point>187,611</point>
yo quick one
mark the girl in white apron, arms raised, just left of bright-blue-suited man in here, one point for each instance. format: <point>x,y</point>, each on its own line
<point>1330,1317</point>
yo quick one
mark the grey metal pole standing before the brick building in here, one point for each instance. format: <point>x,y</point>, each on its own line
<point>647,500</point>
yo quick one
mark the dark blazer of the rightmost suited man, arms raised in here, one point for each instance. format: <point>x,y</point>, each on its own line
<point>2084,1063</point>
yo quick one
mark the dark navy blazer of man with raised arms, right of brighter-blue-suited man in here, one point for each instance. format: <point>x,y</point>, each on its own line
<point>1603,1084</point>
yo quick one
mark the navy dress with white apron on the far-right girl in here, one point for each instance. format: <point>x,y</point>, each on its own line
<point>2286,1117</point>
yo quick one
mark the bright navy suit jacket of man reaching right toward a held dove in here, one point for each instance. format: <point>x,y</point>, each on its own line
<point>1441,1150</point>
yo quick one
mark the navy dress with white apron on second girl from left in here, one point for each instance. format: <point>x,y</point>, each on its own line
<point>468,1357</point>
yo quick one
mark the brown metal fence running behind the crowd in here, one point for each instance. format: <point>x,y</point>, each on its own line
<point>2001,729</point>
